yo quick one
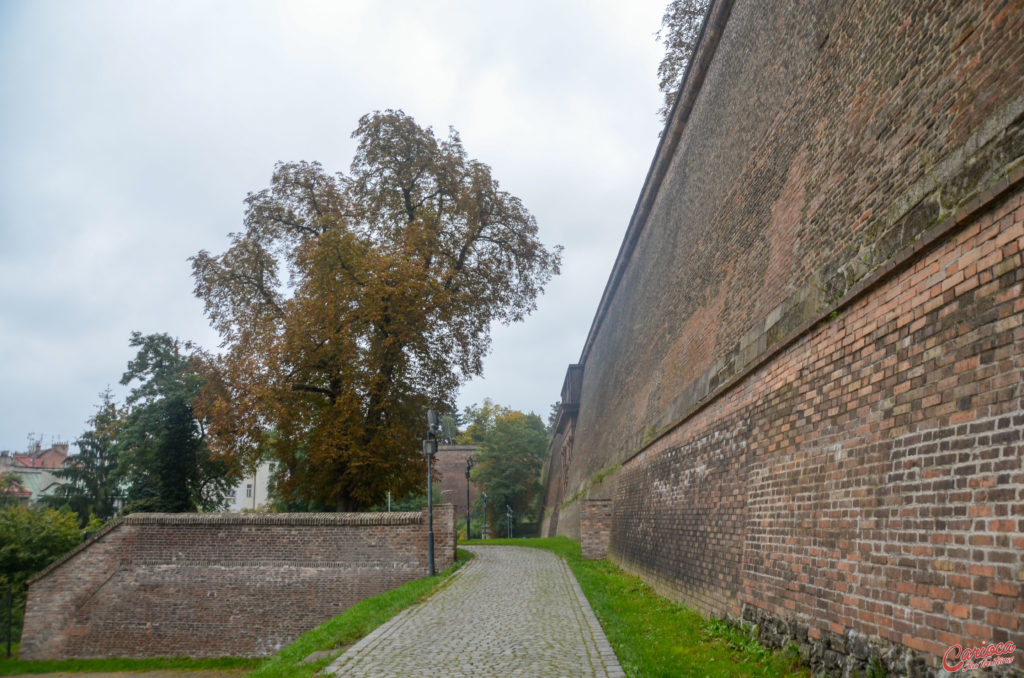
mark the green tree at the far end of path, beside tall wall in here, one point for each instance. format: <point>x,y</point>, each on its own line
<point>508,468</point>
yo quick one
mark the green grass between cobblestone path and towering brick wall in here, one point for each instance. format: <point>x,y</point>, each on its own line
<point>655,638</point>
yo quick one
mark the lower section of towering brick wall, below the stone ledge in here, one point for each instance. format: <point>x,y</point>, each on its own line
<point>868,484</point>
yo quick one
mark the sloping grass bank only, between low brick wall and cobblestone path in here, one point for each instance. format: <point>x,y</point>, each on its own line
<point>336,634</point>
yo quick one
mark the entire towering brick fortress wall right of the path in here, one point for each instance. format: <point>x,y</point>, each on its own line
<point>804,389</point>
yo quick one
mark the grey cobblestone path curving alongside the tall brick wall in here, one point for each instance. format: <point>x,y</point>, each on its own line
<point>509,612</point>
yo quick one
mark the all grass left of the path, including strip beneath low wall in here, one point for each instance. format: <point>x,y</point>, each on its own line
<point>332,637</point>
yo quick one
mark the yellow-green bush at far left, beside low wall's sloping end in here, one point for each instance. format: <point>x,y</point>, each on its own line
<point>30,540</point>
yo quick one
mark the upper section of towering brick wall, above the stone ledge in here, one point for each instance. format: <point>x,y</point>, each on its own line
<point>825,137</point>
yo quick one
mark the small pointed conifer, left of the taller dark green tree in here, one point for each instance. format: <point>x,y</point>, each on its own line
<point>95,475</point>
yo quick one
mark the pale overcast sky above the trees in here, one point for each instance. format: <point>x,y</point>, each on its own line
<point>131,133</point>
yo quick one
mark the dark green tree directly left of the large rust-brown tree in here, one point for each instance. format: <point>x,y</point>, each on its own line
<point>168,464</point>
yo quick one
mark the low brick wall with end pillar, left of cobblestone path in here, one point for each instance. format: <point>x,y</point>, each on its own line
<point>215,585</point>
